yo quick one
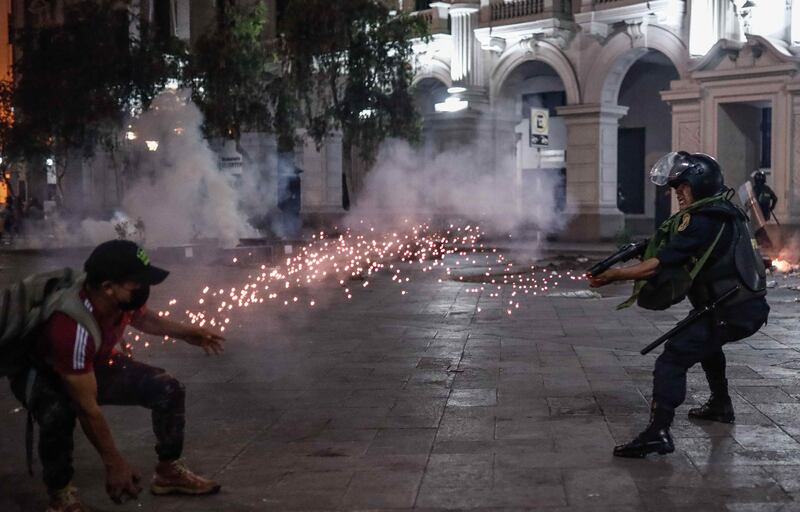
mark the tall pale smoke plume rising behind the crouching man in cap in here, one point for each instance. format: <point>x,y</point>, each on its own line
<point>176,188</point>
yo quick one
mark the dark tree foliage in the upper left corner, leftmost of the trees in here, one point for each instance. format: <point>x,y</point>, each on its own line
<point>79,81</point>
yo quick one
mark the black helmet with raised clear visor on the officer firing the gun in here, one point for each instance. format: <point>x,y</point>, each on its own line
<point>699,170</point>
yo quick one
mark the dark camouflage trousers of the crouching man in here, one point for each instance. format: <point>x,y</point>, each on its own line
<point>125,382</point>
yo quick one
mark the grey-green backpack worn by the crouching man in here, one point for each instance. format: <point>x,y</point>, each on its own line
<point>28,304</point>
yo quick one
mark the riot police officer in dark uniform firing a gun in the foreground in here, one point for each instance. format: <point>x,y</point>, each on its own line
<point>703,251</point>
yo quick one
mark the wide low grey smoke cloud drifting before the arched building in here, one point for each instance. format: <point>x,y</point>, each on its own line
<point>463,184</point>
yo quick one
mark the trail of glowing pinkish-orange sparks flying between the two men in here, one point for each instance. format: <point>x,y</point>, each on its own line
<point>352,260</point>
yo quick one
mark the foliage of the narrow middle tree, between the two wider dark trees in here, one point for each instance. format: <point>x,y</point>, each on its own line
<point>231,71</point>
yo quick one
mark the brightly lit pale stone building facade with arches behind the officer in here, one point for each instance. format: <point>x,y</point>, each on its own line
<point>623,82</point>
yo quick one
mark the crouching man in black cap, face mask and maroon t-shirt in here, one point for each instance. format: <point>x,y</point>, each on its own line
<point>72,374</point>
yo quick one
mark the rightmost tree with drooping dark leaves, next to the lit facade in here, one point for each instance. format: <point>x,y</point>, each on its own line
<point>349,63</point>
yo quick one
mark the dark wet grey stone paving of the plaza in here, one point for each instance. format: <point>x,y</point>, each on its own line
<point>418,401</point>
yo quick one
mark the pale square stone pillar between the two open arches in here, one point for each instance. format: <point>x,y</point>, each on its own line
<point>592,171</point>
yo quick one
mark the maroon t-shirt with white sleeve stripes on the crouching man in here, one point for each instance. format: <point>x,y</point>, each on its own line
<point>68,347</point>
